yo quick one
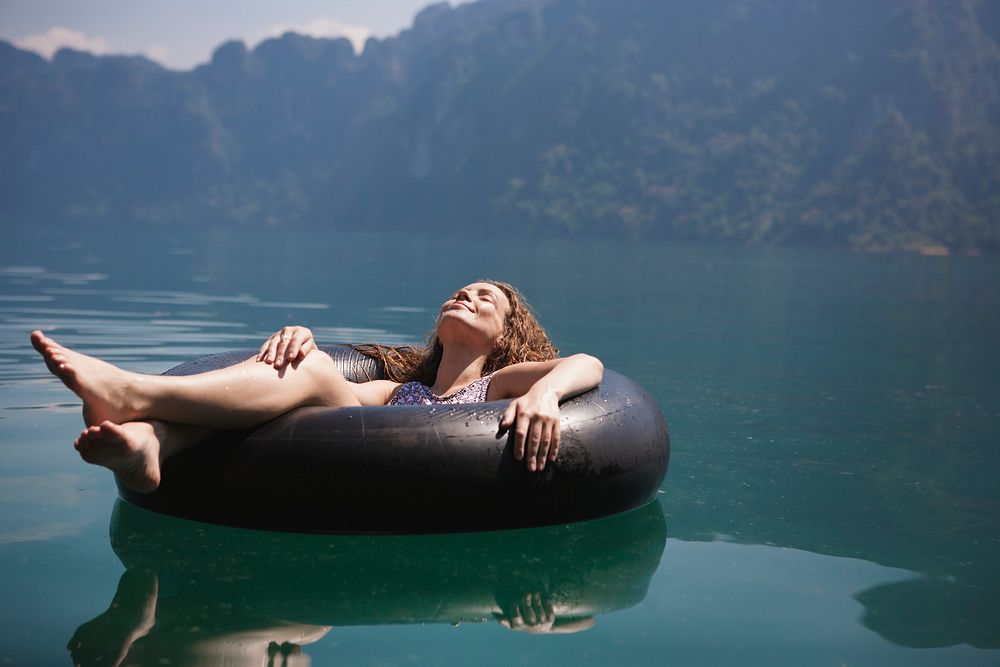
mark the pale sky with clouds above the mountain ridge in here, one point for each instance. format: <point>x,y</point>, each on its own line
<point>181,34</point>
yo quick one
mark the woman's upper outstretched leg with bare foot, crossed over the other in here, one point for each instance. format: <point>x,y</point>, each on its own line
<point>240,396</point>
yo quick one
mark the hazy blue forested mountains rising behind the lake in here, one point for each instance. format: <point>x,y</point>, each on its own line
<point>871,125</point>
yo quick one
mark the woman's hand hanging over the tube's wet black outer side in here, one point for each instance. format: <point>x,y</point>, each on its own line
<point>535,418</point>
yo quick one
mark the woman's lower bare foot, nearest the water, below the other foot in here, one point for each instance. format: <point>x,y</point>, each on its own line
<point>130,450</point>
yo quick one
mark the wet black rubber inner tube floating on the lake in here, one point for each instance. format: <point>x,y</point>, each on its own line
<point>414,469</point>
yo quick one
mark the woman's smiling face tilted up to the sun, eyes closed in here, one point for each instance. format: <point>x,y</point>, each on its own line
<point>475,313</point>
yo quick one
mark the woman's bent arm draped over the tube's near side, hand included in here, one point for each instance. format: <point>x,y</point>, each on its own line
<point>536,388</point>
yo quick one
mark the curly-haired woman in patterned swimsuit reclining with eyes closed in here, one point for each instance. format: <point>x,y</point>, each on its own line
<point>487,345</point>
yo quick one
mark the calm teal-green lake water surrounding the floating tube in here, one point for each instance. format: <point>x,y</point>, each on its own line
<point>832,497</point>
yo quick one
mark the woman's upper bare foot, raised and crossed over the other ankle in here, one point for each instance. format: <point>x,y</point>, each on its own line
<point>106,390</point>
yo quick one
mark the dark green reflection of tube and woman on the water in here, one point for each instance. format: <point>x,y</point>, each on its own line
<point>200,594</point>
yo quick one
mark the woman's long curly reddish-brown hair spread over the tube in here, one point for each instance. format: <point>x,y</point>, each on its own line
<point>523,339</point>
